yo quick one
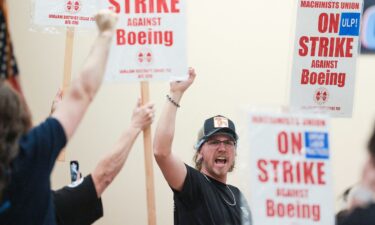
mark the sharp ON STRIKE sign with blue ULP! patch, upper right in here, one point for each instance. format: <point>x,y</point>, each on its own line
<point>325,52</point>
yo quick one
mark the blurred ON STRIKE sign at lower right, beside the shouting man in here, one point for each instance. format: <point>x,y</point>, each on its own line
<point>290,169</point>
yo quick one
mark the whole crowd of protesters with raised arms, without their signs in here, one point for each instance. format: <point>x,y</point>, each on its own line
<point>201,194</point>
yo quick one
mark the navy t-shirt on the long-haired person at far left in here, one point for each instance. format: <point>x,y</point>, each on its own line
<point>29,191</point>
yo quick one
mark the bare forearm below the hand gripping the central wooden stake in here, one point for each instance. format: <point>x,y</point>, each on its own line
<point>108,168</point>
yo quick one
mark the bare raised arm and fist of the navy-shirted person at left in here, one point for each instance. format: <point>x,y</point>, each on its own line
<point>84,87</point>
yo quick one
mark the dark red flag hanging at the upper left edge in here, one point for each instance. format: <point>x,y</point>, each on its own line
<point>8,65</point>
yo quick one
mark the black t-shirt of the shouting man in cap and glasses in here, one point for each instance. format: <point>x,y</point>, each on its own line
<point>206,201</point>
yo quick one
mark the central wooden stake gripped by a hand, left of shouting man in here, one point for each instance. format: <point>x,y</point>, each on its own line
<point>147,142</point>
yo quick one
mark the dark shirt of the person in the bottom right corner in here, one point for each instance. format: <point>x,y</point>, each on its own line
<point>359,216</point>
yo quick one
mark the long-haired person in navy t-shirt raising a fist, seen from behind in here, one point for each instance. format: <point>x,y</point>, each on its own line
<point>27,155</point>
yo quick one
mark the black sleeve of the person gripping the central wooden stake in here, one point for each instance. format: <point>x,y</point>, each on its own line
<point>78,204</point>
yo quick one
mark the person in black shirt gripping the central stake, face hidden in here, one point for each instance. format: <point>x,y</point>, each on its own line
<point>80,203</point>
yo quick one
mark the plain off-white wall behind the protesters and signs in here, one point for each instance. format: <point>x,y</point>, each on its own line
<point>240,50</point>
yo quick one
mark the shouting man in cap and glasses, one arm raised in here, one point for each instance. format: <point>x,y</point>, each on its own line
<point>201,195</point>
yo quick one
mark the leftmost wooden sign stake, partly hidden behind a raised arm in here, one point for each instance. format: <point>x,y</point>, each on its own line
<point>67,70</point>
